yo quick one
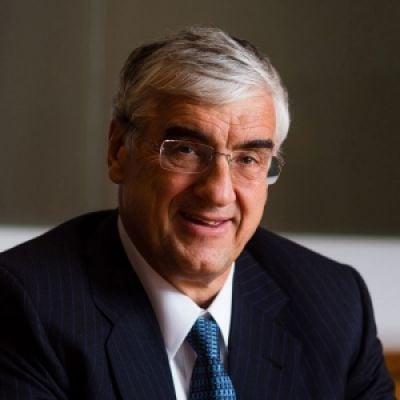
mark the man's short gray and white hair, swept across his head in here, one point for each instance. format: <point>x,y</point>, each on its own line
<point>202,63</point>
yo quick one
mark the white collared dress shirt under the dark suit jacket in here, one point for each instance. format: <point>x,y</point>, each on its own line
<point>176,313</point>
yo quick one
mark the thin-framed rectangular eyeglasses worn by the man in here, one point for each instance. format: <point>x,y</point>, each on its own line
<point>194,158</point>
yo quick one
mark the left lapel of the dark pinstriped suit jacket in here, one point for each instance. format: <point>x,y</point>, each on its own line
<point>135,346</point>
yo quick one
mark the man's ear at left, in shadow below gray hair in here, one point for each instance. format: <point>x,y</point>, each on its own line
<point>117,151</point>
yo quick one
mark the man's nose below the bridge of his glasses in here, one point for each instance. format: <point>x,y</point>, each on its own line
<point>215,186</point>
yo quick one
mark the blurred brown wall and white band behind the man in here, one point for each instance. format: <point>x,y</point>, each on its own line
<point>340,189</point>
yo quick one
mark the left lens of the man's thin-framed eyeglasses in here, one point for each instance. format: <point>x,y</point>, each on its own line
<point>184,156</point>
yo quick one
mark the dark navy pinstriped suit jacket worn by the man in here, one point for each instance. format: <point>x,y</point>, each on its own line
<point>77,324</point>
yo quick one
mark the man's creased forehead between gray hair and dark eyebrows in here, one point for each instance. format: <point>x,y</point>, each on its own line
<point>252,118</point>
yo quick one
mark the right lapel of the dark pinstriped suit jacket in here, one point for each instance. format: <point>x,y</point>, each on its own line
<point>263,356</point>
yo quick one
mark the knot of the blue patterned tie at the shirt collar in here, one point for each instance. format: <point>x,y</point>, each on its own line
<point>204,338</point>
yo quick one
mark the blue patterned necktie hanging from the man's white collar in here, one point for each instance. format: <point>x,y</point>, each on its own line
<point>209,379</point>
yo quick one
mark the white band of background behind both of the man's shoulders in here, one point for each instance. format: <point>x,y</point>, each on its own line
<point>377,259</point>
